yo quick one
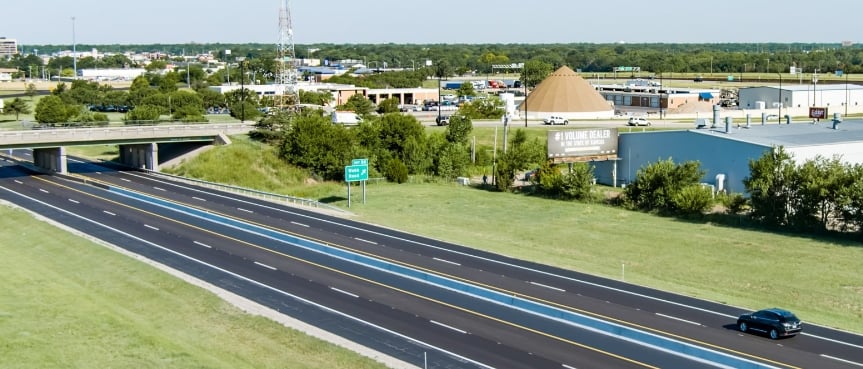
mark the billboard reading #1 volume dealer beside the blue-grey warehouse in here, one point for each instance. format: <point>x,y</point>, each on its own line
<point>582,142</point>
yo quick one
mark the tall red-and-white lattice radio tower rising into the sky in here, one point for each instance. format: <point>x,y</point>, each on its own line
<point>286,76</point>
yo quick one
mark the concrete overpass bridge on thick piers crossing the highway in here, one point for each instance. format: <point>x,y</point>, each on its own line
<point>139,145</point>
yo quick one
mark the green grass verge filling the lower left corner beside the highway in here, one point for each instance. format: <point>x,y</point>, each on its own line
<point>70,303</point>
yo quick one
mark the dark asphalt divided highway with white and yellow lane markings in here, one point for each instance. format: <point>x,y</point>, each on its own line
<point>401,316</point>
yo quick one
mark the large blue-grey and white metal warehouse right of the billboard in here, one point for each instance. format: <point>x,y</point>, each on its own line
<point>726,151</point>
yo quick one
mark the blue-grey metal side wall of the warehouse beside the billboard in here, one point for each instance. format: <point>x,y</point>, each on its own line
<point>716,153</point>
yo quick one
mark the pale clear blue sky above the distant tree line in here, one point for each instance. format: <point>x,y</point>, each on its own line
<point>98,22</point>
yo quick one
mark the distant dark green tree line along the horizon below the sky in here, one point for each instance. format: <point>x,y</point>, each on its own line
<point>730,58</point>
